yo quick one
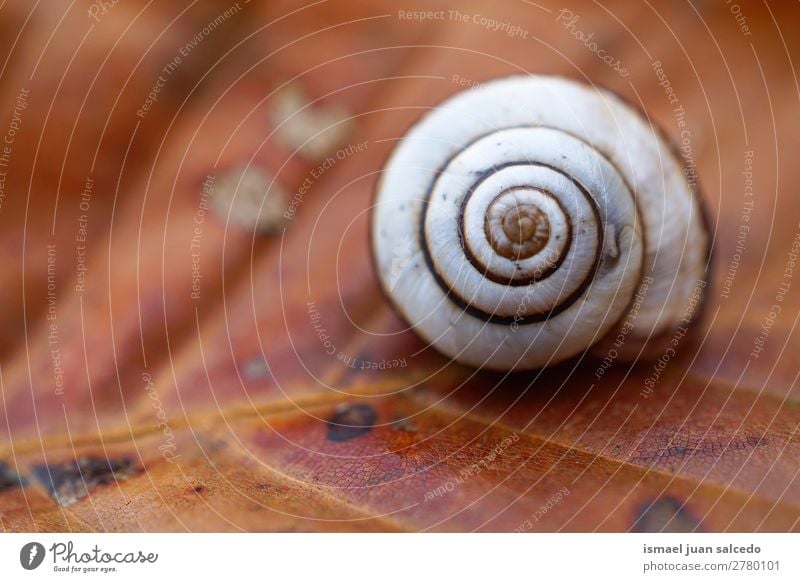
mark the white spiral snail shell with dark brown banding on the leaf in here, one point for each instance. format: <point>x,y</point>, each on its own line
<point>535,218</point>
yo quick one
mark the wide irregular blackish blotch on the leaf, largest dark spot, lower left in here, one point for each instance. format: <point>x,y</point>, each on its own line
<point>70,481</point>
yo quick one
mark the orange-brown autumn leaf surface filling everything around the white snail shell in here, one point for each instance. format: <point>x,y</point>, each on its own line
<point>191,333</point>
